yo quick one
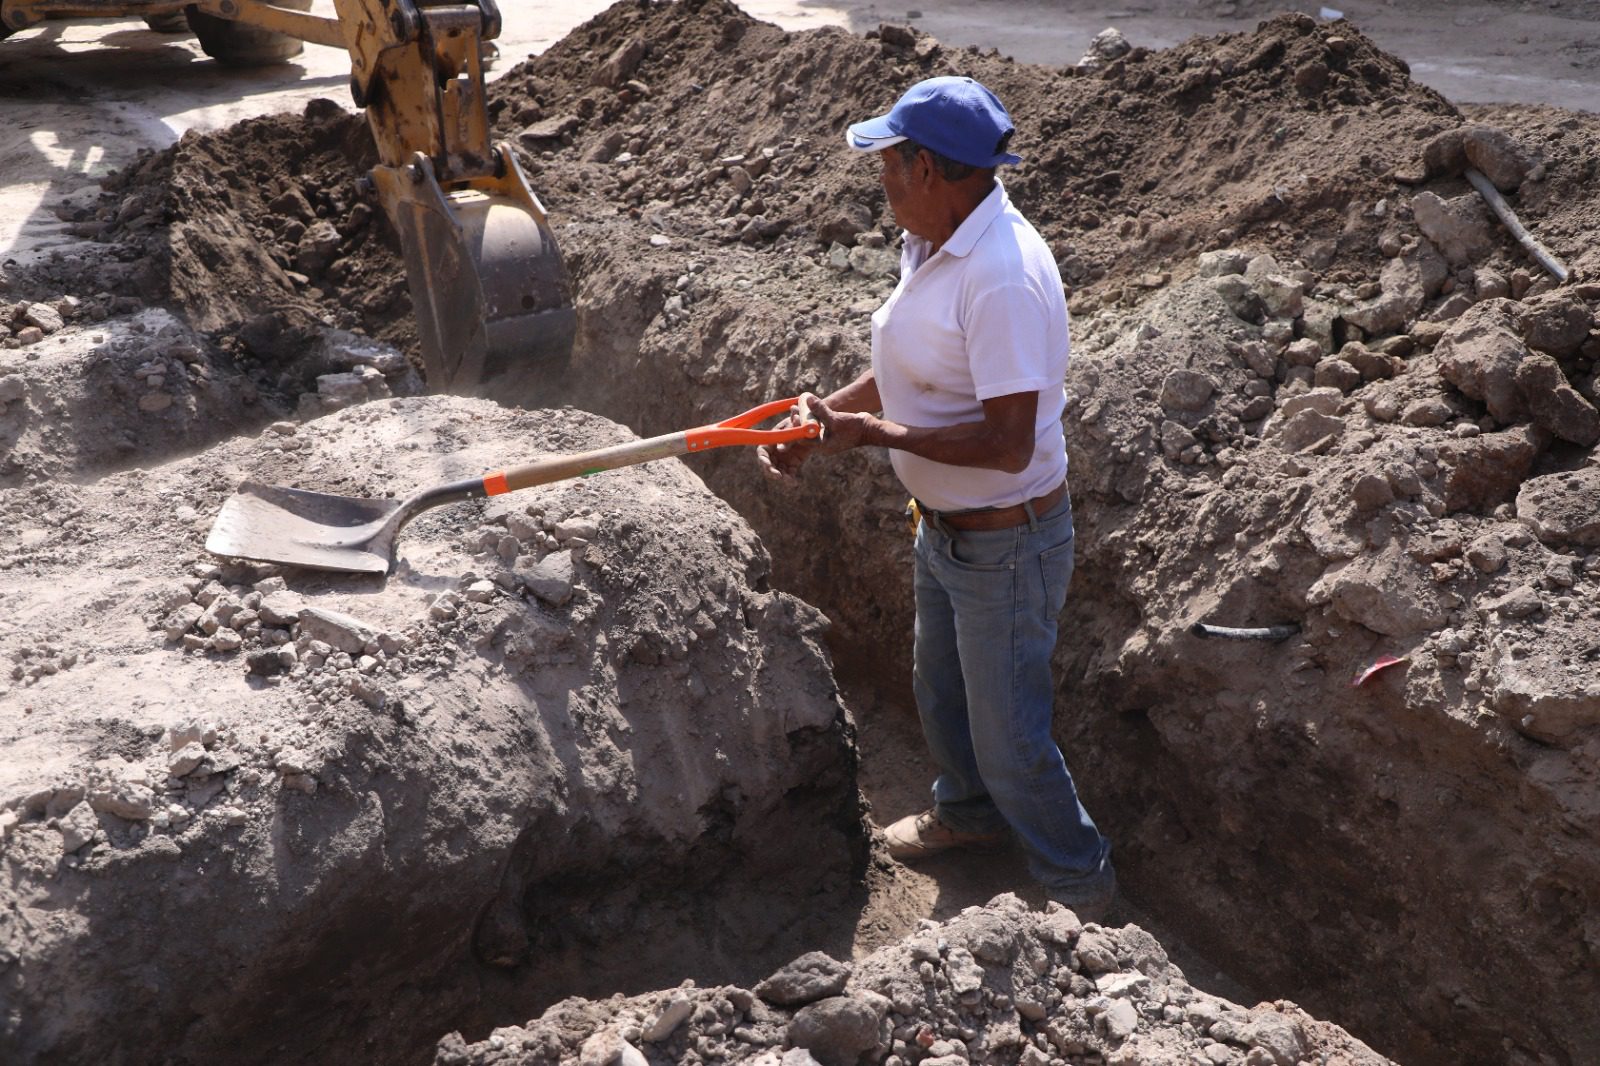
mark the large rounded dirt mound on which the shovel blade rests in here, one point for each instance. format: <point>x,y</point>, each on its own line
<point>270,816</point>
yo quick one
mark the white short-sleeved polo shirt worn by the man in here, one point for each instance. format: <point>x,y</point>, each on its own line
<point>983,316</point>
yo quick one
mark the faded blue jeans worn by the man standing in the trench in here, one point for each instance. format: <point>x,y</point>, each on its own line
<point>986,628</point>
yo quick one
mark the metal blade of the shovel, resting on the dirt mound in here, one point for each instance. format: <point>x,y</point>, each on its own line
<point>305,529</point>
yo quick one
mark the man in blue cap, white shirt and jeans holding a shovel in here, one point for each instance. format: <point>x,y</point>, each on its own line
<point>969,367</point>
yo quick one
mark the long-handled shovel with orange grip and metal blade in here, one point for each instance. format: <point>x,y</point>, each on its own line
<point>356,535</point>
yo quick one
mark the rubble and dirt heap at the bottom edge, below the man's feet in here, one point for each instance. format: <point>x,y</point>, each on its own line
<point>996,985</point>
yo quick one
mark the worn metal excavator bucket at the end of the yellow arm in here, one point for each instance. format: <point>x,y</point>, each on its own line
<point>490,292</point>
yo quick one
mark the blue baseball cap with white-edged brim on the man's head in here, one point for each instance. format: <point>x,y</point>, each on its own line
<point>956,118</point>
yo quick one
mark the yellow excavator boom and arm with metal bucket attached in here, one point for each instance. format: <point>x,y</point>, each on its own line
<point>490,292</point>
